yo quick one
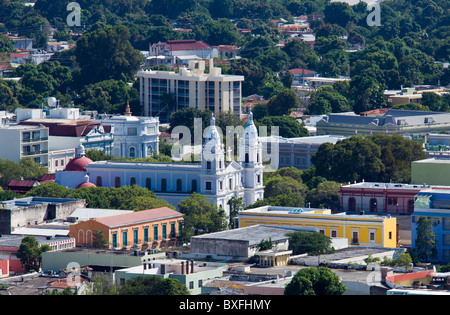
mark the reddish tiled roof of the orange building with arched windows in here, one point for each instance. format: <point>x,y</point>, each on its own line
<point>139,216</point>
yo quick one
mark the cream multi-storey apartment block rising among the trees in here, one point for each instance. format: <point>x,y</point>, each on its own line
<point>191,87</point>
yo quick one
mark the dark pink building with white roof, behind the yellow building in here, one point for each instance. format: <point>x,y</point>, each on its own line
<point>384,198</point>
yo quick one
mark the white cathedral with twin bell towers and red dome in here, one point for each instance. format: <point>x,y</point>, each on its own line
<point>218,177</point>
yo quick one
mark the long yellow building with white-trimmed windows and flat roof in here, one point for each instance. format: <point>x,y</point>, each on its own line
<point>362,230</point>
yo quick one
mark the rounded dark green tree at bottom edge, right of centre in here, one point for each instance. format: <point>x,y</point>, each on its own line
<point>315,281</point>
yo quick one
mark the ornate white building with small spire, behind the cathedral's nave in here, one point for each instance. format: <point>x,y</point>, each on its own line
<point>134,137</point>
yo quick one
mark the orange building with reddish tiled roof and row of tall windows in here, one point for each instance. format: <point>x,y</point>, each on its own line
<point>140,230</point>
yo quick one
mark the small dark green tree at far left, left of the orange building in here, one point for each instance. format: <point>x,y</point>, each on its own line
<point>30,253</point>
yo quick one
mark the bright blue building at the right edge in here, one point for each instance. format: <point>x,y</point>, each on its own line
<point>434,204</point>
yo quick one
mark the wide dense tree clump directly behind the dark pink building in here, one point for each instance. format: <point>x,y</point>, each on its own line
<point>378,158</point>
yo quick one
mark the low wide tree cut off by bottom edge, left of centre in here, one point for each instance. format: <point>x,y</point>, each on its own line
<point>153,285</point>
